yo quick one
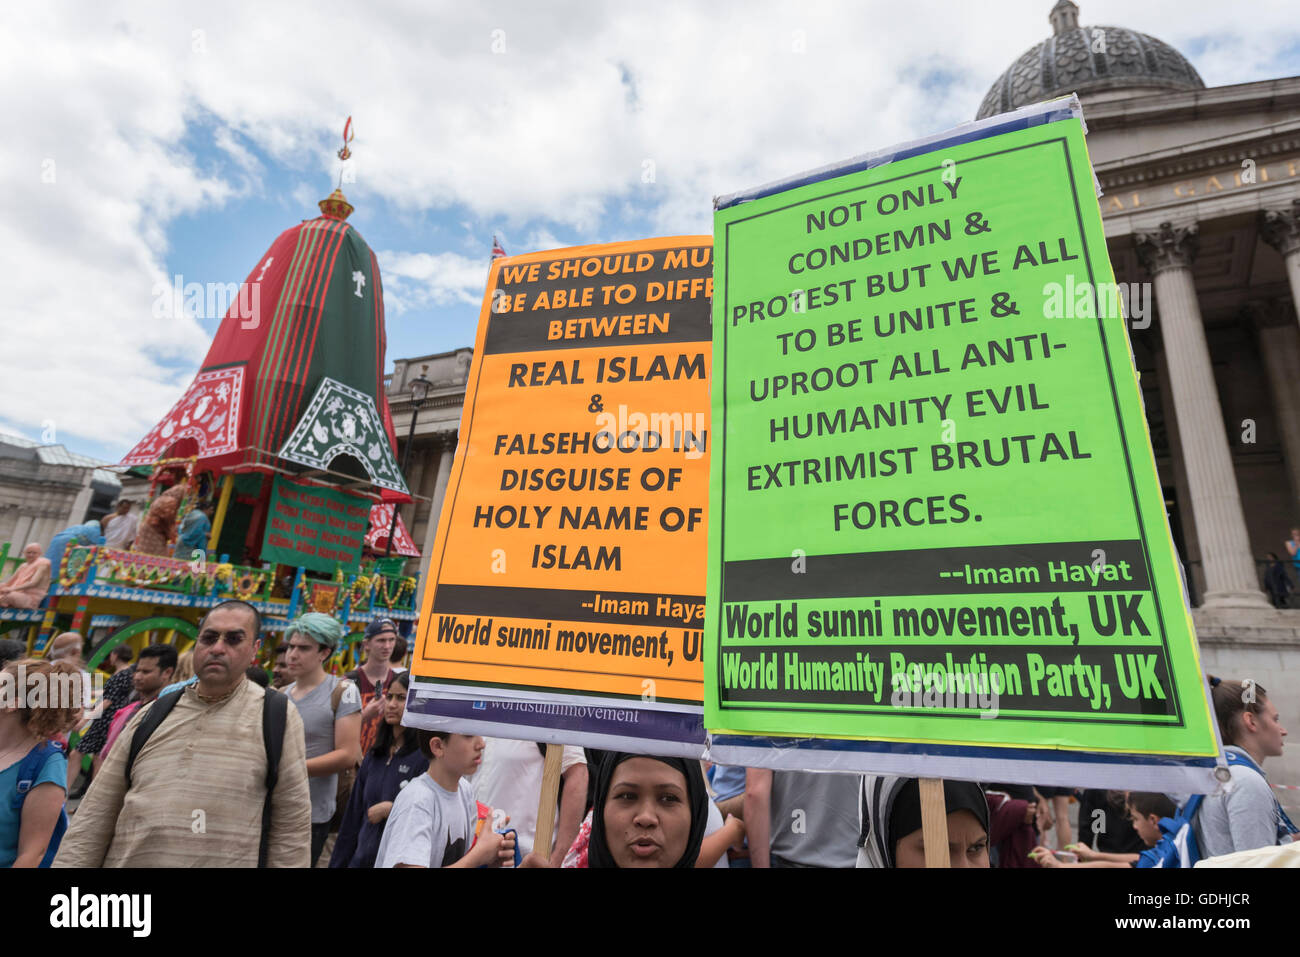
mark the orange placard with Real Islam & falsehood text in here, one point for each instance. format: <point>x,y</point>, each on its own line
<point>571,548</point>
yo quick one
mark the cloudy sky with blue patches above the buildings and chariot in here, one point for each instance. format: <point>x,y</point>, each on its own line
<point>150,141</point>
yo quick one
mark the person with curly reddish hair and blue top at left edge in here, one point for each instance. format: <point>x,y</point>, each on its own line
<point>33,769</point>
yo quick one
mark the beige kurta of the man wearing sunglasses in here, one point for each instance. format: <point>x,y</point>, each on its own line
<point>197,793</point>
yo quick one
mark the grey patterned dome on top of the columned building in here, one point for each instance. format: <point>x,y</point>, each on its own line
<point>1089,60</point>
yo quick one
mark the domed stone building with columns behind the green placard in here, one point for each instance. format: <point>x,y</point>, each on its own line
<point>1202,201</point>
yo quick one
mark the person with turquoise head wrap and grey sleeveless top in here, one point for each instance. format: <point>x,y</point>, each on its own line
<point>331,708</point>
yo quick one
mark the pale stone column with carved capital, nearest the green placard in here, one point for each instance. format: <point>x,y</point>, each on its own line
<point>1230,579</point>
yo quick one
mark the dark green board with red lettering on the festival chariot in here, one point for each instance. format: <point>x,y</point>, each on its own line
<point>315,527</point>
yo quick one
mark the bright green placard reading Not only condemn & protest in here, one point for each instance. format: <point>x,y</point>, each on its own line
<point>935,514</point>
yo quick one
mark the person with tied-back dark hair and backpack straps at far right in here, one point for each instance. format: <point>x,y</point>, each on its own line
<point>1245,815</point>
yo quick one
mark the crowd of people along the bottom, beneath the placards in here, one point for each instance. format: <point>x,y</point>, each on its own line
<point>201,764</point>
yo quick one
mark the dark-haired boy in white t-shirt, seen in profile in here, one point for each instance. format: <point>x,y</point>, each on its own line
<point>432,822</point>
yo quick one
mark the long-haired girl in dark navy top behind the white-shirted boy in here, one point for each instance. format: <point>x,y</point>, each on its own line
<point>389,767</point>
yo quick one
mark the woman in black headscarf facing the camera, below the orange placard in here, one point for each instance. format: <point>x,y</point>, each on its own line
<point>648,812</point>
